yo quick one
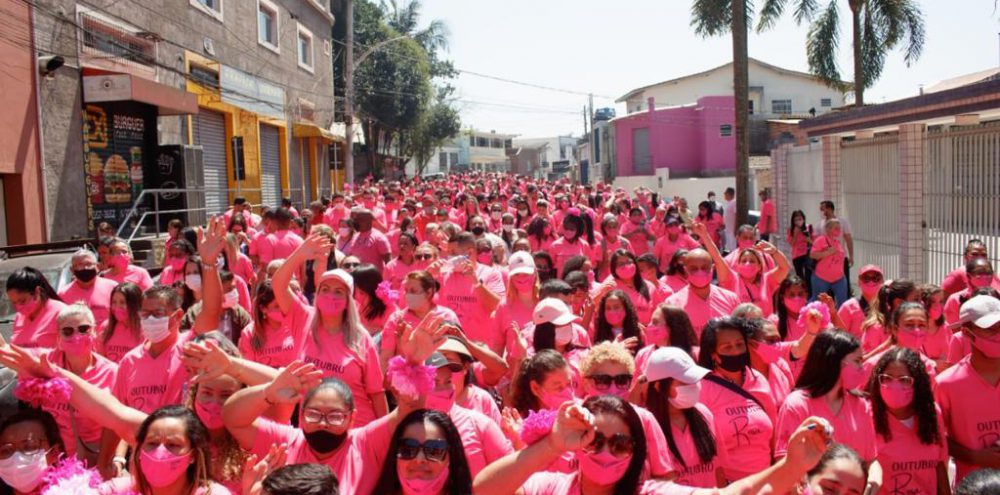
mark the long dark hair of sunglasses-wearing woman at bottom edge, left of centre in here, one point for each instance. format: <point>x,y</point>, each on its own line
<point>459,476</point>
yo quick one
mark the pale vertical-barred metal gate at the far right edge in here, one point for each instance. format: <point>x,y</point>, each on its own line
<point>961,195</point>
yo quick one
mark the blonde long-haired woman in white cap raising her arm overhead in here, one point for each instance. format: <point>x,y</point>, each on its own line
<point>335,341</point>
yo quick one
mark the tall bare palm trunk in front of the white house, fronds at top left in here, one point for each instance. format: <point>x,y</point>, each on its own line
<point>716,18</point>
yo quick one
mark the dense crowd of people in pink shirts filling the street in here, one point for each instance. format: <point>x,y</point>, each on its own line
<point>493,334</point>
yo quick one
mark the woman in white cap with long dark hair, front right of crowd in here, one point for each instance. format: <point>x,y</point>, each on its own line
<point>674,386</point>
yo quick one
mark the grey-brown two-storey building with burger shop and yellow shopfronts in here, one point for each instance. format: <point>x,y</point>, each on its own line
<point>222,97</point>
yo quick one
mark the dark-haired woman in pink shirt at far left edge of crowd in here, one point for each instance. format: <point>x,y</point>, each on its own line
<point>37,306</point>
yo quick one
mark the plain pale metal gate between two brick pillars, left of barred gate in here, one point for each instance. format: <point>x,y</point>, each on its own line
<point>870,175</point>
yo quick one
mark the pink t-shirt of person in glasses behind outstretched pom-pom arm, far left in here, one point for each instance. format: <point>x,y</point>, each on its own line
<point>100,374</point>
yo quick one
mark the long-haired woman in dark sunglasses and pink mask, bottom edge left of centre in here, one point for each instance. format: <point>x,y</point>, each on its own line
<point>425,457</point>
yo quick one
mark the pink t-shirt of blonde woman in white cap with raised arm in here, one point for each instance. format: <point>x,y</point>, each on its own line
<point>359,368</point>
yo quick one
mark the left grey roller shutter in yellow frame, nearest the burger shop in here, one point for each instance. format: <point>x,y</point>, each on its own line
<point>210,133</point>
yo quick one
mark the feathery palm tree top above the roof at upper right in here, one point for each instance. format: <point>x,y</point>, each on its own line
<point>877,26</point>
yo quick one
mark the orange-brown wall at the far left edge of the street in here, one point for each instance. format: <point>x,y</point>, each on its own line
<point>20,140</point>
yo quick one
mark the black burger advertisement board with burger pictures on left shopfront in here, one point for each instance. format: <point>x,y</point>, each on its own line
<point>118,138</point>
